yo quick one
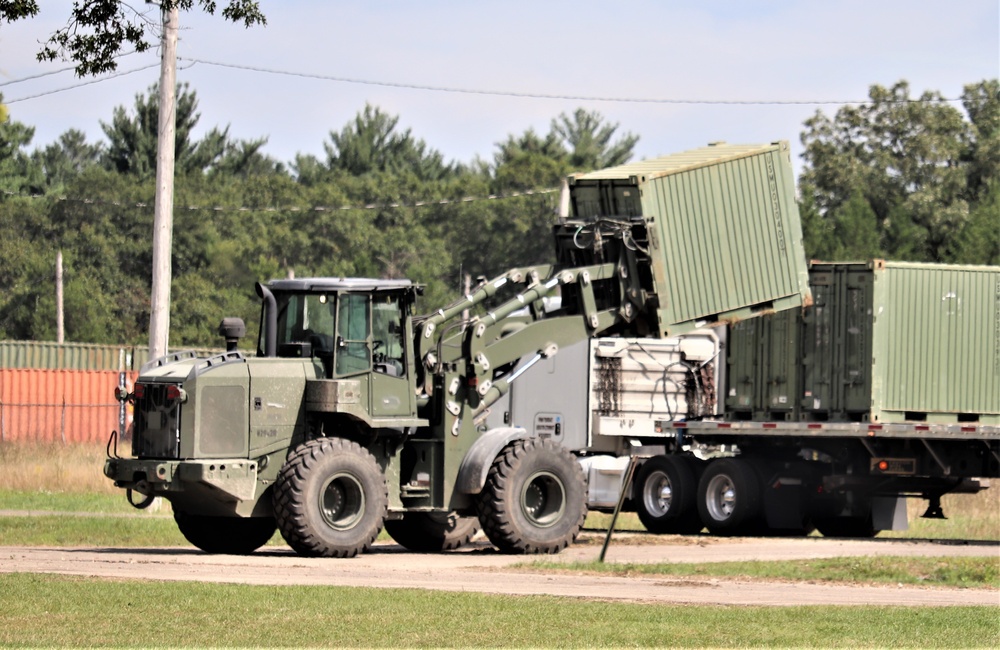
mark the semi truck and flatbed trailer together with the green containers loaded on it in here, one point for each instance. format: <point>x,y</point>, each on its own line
<point>886,388</point>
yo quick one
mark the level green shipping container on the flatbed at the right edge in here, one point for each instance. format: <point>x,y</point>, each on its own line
<point>918,342</point>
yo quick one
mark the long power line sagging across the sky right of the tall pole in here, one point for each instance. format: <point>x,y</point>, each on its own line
<point>525,95</point>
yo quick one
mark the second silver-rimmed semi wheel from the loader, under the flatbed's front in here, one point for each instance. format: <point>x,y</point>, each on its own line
<point>728,496</point>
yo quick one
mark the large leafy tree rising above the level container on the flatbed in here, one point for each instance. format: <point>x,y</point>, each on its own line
<point>916,162</point>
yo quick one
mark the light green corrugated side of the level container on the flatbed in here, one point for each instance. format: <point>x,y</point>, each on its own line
<point>936,342</point>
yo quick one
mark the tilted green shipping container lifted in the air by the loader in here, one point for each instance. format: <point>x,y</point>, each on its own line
<point>723,229</point>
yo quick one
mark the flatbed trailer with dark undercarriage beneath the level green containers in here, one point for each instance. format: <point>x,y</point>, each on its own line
<point>843,478</point>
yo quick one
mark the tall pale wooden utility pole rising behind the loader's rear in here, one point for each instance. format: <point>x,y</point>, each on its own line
<point>163,217</point>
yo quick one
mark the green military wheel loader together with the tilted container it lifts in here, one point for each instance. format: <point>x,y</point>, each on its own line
<point>355,413</point>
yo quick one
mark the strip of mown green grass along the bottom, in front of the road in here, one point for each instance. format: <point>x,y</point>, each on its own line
<point>40,610</point>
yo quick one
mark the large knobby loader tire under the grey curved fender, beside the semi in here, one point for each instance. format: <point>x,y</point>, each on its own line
<point>535,498</point>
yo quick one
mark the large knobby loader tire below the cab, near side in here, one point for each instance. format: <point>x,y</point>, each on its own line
<point>330,499</point>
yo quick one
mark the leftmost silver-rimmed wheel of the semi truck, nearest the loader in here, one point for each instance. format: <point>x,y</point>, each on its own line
<point>664,496</point>
